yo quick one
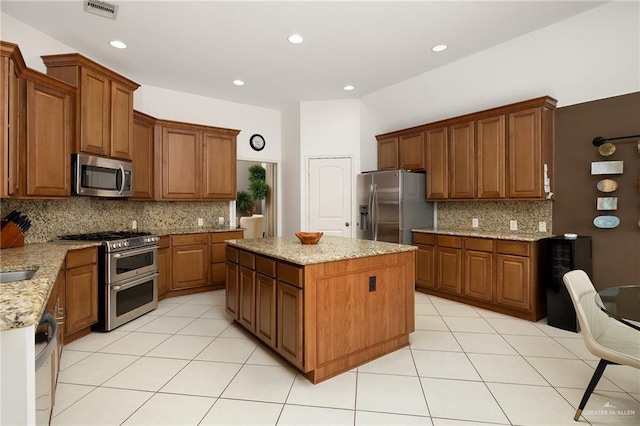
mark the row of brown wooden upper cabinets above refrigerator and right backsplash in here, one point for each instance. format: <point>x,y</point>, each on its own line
<point>494,154</point>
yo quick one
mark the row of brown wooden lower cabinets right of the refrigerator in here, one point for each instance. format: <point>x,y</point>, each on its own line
<point>498,275</point>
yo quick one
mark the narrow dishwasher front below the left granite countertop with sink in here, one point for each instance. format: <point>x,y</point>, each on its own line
<point>45,349</point>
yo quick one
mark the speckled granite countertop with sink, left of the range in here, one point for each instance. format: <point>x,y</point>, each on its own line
<point>22,303</point>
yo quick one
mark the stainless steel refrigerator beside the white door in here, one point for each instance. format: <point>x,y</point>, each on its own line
<point>390,204</point>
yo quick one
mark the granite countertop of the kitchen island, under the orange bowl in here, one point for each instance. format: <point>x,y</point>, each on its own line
<point>328,249</point>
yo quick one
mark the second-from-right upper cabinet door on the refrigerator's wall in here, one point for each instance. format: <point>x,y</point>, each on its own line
<point>491,157</point>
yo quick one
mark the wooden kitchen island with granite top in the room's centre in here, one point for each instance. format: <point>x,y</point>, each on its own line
<point>325,308</point>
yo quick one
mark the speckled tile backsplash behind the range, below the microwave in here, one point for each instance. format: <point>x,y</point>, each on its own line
<point>52,218</point>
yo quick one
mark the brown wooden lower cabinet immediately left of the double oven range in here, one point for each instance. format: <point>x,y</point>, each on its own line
<point>81,292</point>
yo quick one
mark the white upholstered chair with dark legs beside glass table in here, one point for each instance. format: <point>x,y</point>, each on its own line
<point>605,337</point>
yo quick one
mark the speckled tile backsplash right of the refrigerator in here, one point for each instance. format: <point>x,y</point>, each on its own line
<point>494,216</point>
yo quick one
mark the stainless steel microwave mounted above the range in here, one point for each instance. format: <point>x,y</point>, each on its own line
<point>101,177</point>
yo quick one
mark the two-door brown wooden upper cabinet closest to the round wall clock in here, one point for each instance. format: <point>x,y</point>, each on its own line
<point>195,162</point>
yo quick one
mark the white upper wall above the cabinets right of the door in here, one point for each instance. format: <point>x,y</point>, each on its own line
<point>590,56</point>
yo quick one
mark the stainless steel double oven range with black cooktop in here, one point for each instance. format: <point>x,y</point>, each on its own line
<point>128,273</point>
